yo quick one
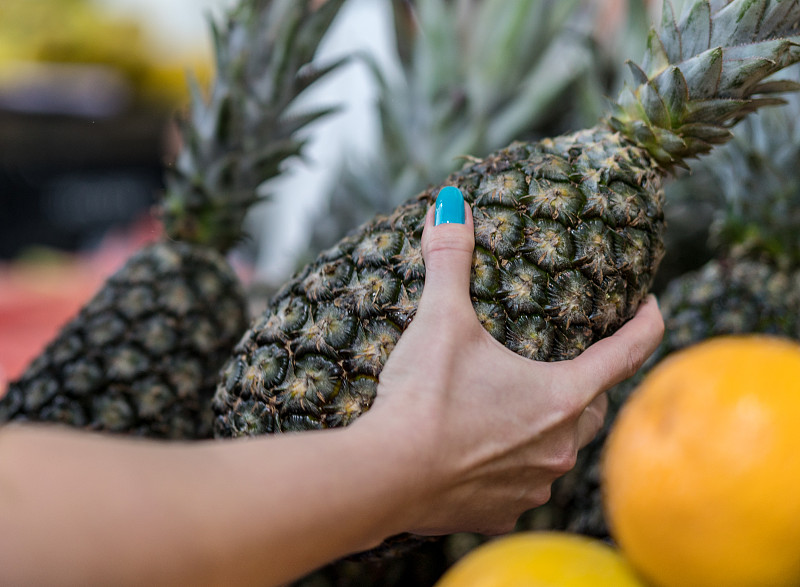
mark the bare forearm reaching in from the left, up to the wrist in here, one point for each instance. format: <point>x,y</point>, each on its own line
<point>78,508</point>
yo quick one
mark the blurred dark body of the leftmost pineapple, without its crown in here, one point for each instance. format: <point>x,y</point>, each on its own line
<point>143,356</point>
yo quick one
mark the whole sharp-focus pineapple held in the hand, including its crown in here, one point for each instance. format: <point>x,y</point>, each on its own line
<point>568,231</point>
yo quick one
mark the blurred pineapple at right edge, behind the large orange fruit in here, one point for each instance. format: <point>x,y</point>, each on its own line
<point>752,285</point>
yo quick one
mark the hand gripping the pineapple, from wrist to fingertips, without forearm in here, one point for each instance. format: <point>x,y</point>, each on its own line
<point>488,430</point>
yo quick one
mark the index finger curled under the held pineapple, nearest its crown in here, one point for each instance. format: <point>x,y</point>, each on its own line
<point>614,359</point>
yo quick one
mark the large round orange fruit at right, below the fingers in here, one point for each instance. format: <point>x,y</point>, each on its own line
<point>701,471</point>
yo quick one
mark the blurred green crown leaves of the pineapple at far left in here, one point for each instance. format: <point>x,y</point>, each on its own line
<point>238,136</point>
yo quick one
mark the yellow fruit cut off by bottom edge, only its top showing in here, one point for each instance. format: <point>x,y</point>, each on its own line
<point>542,559</point>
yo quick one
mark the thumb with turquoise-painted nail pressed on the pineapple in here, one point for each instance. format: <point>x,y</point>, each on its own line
<point>447,244</point>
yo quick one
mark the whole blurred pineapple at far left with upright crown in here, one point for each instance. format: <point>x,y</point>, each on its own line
<point>142,357</point>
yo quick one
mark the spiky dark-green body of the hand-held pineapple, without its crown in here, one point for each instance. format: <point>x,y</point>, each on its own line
<point>568,236</point>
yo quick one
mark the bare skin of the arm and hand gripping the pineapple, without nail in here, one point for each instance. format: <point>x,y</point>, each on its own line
<point>440,451</point>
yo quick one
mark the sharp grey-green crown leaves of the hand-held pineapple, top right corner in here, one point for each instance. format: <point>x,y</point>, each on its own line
<point>704,72</point>
